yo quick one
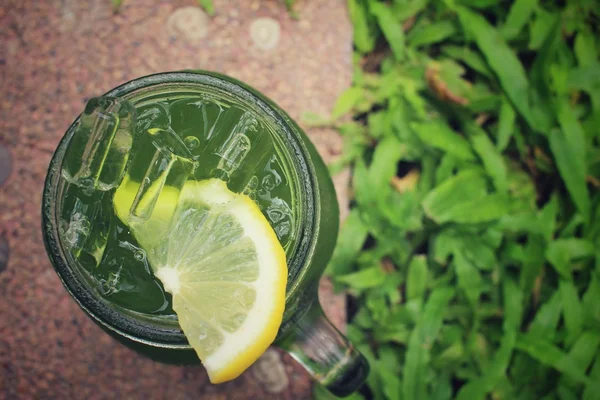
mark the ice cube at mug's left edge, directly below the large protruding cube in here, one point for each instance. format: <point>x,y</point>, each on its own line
<point>86,224</point>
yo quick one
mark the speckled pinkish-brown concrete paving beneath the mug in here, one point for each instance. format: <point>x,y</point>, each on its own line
<point>54,55</point>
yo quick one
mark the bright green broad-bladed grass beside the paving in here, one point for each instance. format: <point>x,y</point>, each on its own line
<point>472,247</point>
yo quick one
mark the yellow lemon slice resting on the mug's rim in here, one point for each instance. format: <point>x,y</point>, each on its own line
<point>221,260</point>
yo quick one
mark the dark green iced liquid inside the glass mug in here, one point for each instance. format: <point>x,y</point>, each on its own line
<point>202,130</point>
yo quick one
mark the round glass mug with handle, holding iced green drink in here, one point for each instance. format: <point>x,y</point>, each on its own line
<point>145,140</point>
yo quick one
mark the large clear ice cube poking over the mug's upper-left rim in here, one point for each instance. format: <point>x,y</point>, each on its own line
<point>99,149</point>
